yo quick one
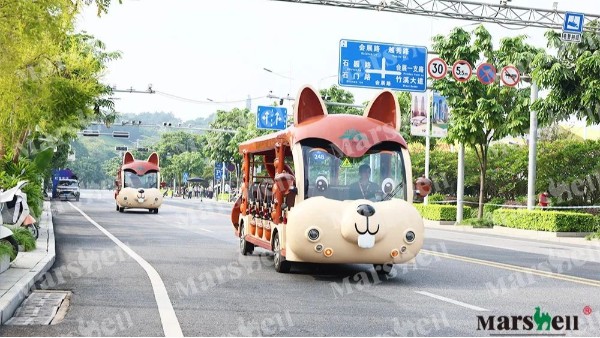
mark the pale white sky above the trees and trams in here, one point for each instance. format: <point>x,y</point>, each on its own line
<point>203,50</point>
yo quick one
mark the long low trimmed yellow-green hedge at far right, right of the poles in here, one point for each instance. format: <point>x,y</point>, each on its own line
<point>558,221</point>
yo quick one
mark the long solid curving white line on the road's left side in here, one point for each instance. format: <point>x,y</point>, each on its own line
<point>168,318</point>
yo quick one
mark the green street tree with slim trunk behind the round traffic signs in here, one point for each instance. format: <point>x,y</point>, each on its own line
<point>484,113</point>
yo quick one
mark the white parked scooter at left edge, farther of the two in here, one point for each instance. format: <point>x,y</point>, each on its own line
<point>15,211</point>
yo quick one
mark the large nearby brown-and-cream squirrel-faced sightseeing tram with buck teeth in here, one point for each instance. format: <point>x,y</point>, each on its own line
<point>331,189</point>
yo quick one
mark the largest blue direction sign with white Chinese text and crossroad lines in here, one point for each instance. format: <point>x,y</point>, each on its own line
<point>381,65</point>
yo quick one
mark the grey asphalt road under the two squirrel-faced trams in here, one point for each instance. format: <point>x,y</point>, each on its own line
<point>214,291</point>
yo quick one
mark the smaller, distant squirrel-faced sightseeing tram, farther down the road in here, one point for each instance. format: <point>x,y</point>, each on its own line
<point>137,184</point>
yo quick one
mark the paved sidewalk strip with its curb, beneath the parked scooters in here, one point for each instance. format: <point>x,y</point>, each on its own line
<point>28,268</point>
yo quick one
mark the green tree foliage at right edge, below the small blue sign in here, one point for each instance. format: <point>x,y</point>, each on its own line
<point>572,77</point>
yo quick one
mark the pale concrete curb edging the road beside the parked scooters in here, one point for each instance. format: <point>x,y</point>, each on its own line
<point>11,300</point>
